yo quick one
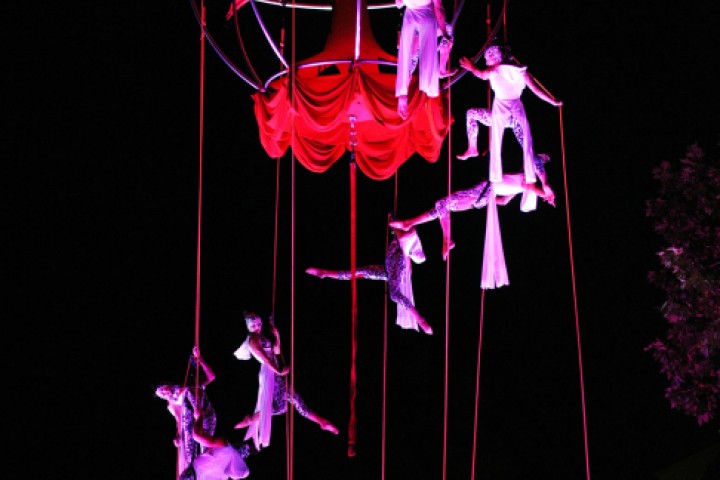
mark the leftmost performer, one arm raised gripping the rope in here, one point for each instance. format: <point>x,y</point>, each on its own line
<point>185,405</point>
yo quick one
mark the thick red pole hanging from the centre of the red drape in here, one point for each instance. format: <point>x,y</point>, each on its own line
<point>352,425</point>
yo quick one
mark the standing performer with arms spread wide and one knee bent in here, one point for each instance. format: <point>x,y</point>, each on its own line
<point>507,79</point>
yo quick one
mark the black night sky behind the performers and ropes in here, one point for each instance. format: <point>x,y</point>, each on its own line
<point>101,220</point>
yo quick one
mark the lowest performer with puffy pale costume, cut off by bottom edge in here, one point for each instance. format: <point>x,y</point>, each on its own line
<point>220,459</point>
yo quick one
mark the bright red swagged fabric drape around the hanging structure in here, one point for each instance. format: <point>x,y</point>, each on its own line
<point>324,104</point>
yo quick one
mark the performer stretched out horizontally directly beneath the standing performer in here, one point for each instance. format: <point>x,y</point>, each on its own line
<point>477,197</point>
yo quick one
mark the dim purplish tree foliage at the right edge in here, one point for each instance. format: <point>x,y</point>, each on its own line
<point>686,214</point>
